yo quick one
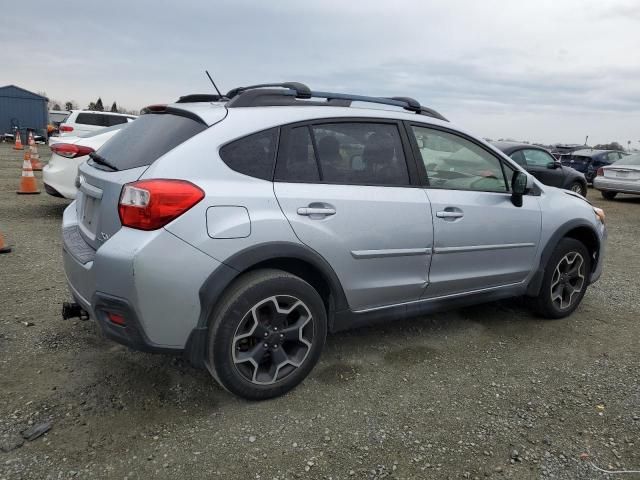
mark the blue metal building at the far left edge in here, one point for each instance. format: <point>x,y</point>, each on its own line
<point>23,109</point>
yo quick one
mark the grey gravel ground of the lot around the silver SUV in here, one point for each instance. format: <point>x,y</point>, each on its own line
<point>489,391</point>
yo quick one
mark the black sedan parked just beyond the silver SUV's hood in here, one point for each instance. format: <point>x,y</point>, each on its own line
<point>541,164</point>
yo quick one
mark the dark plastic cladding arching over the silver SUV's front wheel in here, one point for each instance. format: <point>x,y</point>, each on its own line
<point>577,229</point>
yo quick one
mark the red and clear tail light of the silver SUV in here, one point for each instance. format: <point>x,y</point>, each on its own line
<point>151,204</point>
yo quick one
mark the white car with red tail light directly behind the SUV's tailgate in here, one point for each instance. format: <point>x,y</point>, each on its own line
<point>59,175</point>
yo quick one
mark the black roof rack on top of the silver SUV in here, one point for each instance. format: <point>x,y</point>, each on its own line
<point>290,93</point>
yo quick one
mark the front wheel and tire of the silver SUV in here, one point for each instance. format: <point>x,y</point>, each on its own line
<point>565,281</point>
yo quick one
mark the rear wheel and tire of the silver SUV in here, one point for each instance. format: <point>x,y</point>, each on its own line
<point>266,334</point>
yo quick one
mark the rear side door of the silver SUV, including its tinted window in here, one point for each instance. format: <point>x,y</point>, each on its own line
<point>349,193</point>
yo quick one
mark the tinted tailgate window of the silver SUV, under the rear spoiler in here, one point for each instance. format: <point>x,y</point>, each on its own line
<point>147,139</point>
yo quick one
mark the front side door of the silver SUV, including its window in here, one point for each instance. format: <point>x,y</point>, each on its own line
<point>481,240</point>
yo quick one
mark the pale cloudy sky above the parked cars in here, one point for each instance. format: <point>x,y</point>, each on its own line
<point>544,71</point>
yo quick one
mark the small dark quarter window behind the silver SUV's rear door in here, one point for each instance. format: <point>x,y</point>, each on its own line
<point>253,155</point>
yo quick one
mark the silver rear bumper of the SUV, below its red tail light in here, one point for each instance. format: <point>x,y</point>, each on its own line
<point>152,279</point>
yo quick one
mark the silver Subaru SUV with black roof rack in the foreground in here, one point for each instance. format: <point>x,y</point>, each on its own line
<point>239,230</point>
